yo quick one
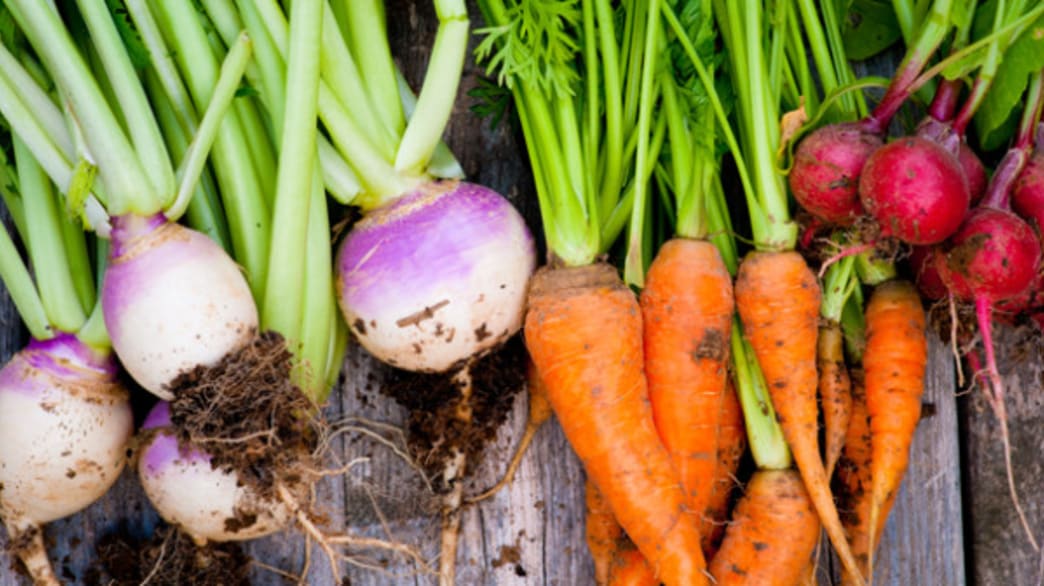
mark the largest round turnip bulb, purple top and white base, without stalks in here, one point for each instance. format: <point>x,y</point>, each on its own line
<point>436,277</point>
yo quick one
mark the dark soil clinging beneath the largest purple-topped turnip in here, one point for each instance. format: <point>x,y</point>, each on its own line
<point>435,429</point>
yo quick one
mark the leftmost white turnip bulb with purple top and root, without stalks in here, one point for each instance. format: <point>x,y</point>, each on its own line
<point>65,424</point>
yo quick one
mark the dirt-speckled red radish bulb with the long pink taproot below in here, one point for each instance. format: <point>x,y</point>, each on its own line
<point>994,255</point>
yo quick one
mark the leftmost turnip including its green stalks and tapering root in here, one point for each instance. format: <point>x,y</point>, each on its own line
<point>65,420</point>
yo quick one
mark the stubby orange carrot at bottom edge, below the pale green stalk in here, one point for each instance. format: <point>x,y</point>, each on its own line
<point>772,535</point>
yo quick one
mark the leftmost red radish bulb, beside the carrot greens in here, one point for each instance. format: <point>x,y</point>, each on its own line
<point>826,172</point>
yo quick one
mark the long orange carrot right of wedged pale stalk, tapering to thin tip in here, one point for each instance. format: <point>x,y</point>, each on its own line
<point>778,299</point>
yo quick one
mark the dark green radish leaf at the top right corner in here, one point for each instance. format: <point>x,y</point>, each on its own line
<point>998,118</point>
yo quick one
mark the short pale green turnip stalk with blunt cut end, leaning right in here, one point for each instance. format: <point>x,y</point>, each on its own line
<point>192,167</point>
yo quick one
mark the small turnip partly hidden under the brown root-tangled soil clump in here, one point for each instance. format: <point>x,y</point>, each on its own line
<point>208,504</point>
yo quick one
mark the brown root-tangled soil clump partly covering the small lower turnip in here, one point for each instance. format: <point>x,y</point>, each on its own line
<point>248,415</point>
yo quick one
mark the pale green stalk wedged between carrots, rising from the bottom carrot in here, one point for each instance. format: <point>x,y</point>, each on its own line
<point>766,436</point>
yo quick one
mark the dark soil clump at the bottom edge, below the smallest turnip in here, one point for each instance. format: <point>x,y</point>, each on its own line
<point>168,558</point>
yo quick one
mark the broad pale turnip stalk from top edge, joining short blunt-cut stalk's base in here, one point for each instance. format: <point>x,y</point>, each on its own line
<point>135,108</point>
